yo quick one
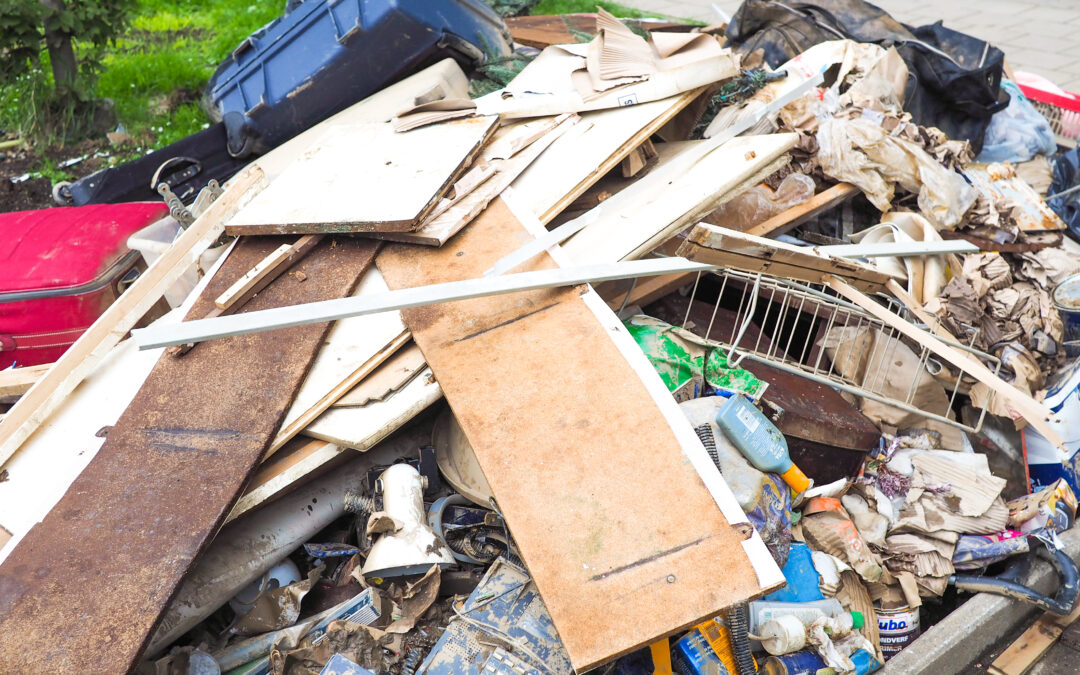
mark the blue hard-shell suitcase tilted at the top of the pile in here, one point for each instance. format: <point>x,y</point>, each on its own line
<point>325,56</point>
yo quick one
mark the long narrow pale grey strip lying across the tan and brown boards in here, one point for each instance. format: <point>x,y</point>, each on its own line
<point>404,299</point>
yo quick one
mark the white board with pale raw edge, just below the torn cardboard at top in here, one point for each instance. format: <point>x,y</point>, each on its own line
<point>593,148</point>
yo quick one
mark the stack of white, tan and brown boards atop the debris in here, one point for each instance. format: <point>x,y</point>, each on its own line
<point>124,465</point>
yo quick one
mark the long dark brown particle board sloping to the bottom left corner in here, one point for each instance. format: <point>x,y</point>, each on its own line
<point>85,589</point>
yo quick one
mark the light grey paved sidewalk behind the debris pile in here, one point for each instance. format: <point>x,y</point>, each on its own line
<point>1037,36</point>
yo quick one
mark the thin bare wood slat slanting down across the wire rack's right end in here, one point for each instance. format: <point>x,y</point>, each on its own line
<point>1025,408</point>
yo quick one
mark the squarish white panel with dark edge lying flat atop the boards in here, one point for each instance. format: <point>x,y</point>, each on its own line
<point>366,178</point>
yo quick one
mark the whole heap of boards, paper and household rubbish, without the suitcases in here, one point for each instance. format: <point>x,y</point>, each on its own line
<point>739,349</point>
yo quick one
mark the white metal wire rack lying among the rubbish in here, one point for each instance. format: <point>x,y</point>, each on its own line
<point>808,331</point>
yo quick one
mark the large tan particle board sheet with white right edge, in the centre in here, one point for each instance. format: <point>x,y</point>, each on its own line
<point>629,531</point>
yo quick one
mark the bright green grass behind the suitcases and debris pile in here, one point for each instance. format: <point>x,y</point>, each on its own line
<point>156,73</point>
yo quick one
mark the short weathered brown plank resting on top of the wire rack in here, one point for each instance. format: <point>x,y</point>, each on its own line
<point>718,246</point>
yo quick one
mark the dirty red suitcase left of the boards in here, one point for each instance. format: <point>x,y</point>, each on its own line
<point>61,269</point>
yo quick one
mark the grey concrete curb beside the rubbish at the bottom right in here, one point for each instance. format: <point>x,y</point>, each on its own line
<point>955,643</point>
